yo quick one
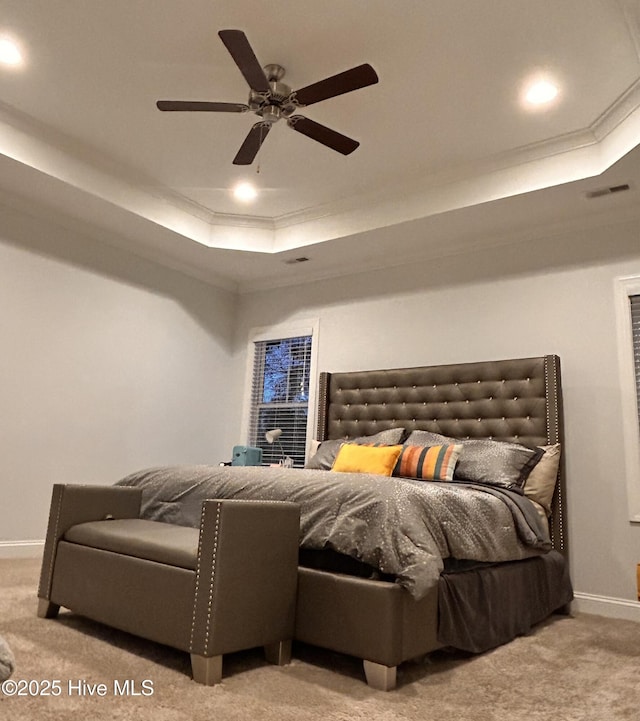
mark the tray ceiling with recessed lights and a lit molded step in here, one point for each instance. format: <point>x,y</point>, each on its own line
<point>448,154</point>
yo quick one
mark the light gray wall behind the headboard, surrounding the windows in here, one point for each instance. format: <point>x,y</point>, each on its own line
<point>550,295</point>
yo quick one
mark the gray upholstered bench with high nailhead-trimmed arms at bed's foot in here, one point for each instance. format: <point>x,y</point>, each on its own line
<point>228,586</point>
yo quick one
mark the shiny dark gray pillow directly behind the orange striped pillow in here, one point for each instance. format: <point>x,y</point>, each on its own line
<point>497,463</point>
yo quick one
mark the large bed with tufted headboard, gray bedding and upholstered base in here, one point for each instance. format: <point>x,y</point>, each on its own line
<point>379,600</point>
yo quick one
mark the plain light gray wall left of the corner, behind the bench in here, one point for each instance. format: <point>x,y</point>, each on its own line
<point>109,363</point>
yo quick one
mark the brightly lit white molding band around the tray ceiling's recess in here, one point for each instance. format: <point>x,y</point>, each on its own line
<point>82,172</point>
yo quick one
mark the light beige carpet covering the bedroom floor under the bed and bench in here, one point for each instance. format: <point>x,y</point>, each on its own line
<point>571,668</point>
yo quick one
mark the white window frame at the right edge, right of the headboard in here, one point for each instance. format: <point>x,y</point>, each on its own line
<point>626,287</point>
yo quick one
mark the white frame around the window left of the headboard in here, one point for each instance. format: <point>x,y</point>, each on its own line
<point>279,332</point>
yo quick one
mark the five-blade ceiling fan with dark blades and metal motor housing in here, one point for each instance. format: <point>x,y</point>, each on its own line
<point>271,99</point>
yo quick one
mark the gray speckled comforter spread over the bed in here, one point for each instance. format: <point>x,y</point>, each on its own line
<point>401,527</point>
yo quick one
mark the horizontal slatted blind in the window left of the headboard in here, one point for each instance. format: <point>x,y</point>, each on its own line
<point>280,397</point>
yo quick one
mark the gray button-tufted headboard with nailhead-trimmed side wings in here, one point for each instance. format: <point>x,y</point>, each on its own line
<point>508,400</point>
